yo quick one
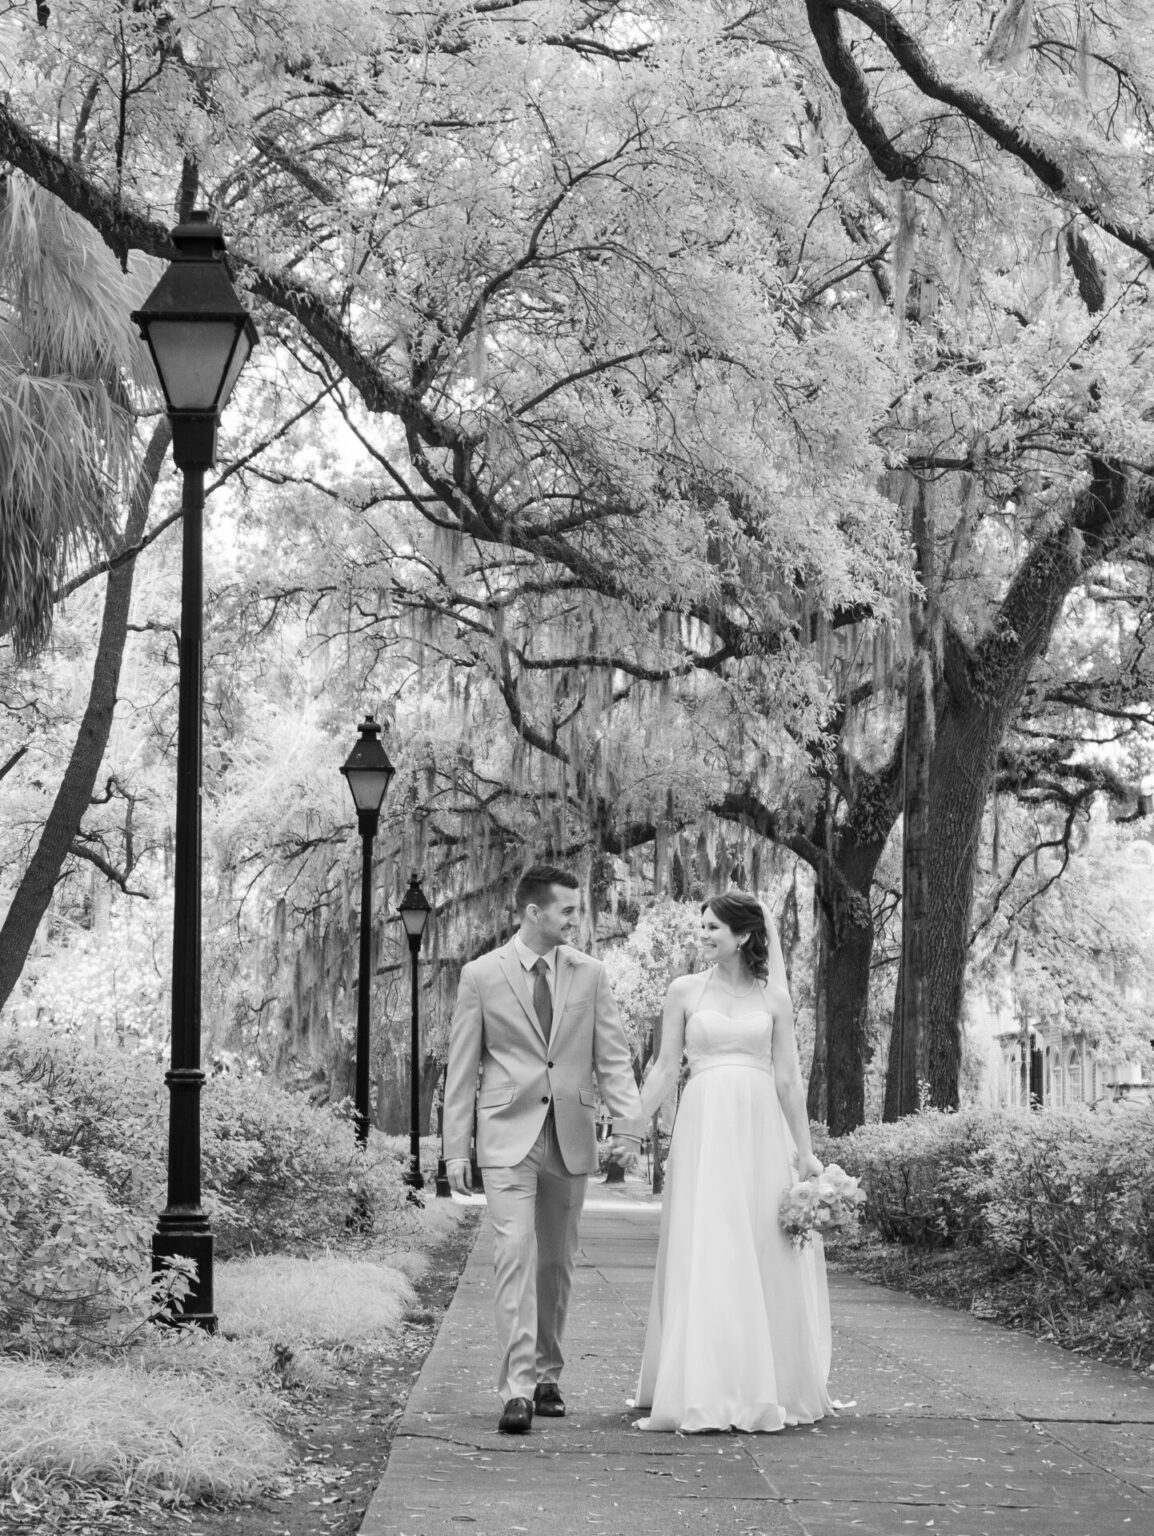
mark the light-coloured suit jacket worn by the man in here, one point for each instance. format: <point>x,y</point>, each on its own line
<point>496,1028</point>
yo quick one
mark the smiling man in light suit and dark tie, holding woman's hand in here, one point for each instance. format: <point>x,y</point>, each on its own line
<point>540,1022</point>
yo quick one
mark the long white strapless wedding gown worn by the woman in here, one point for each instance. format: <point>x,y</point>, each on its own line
<point>740,1322</point>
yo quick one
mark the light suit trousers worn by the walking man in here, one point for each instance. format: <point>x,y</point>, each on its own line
<point>534,1208</point>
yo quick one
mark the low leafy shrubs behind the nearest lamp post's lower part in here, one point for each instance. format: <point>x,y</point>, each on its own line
<point>84,1136</point>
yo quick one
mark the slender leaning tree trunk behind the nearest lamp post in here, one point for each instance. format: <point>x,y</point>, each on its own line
<point>39,881</point>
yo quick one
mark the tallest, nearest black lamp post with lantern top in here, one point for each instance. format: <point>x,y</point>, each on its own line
<point>201,337</point>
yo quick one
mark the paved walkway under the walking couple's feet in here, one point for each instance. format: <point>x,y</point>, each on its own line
<point>952,1426</point>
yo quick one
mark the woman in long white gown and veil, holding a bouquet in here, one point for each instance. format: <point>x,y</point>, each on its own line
<point>738,1332</point>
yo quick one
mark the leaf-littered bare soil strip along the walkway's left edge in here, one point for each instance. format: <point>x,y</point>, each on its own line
<point>340,1440</point>
